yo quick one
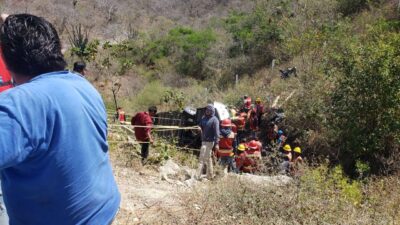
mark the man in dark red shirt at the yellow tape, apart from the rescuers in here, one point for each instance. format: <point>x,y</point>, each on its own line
<point>142,123</point>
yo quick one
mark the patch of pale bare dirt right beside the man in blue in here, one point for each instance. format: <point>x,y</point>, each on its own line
<point>146,199</point>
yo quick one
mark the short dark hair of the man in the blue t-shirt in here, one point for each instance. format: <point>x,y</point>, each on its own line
<point>30,45</point>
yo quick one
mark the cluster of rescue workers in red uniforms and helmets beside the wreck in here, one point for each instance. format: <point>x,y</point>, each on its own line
<point>240,149</point>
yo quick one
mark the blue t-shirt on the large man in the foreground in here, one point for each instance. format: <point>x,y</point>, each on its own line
<point>54,160</point>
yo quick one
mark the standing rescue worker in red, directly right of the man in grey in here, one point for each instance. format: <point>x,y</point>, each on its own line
<point>226,145</point>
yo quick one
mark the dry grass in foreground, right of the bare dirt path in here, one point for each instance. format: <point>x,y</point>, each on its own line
<point>310,200</point>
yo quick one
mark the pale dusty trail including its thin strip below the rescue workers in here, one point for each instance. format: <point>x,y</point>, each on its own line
<point>148,199</point>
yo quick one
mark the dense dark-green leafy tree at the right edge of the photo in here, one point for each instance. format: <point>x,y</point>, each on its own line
<point>366,102</point>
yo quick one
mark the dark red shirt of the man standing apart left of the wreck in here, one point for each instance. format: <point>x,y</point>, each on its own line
<point>142,119</point>
